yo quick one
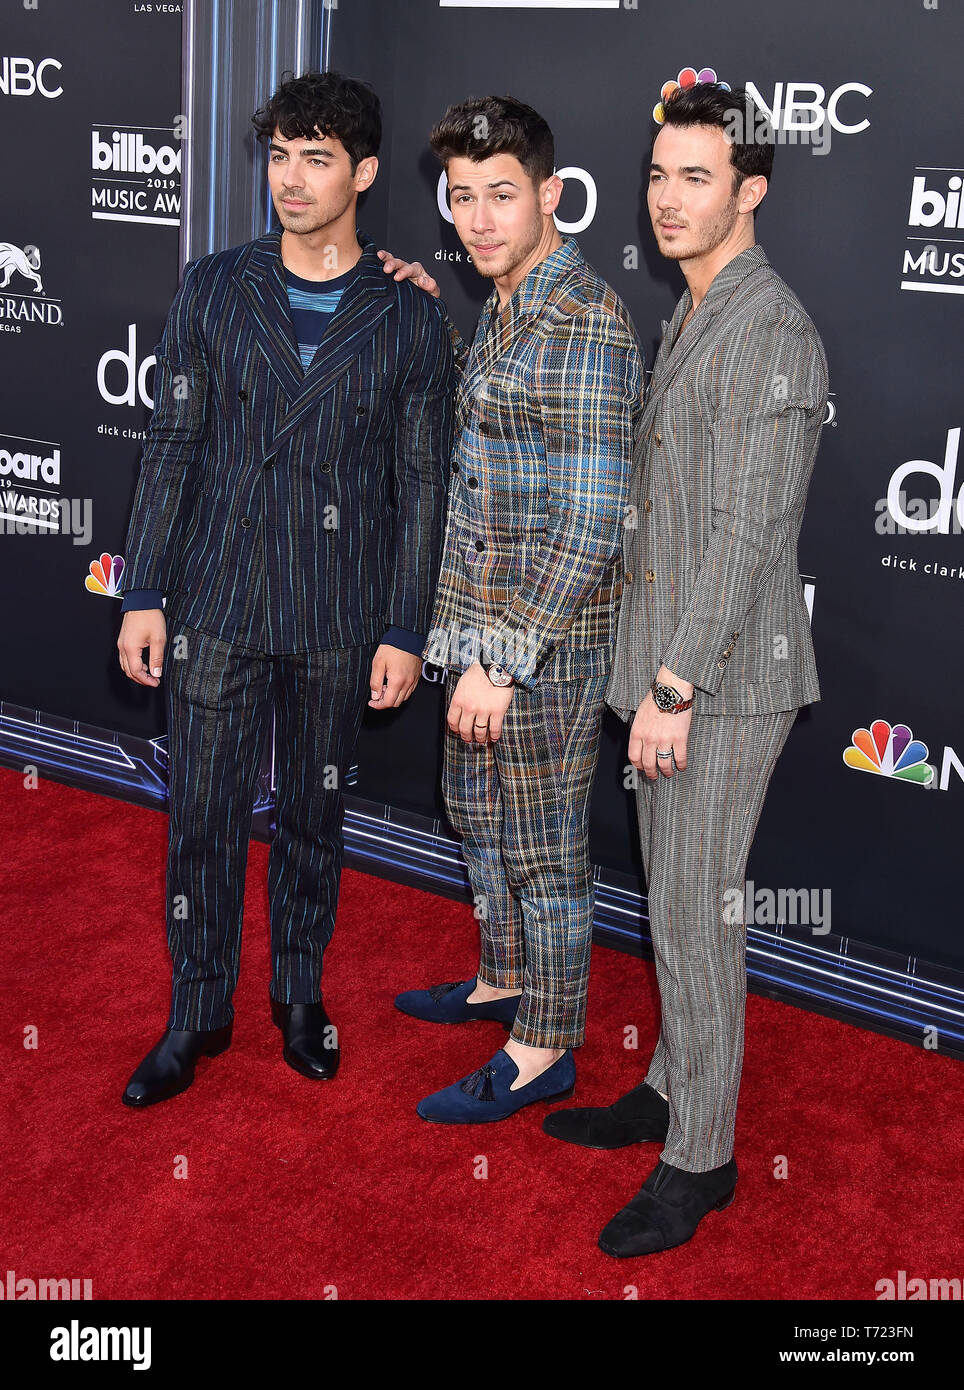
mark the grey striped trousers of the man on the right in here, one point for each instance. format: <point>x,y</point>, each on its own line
<point>695,831</point>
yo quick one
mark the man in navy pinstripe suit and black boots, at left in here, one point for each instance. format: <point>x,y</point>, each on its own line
<point>291,508</point>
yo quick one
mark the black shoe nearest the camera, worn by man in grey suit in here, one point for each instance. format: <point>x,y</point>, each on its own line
<point>667,1210</point>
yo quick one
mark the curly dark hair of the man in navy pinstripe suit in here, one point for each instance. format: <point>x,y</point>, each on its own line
<point>329,104</point>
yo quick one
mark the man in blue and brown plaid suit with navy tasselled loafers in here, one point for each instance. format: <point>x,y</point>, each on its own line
<point>527,601</point>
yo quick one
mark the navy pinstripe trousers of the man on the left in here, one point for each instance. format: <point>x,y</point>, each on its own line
<point>220,705</point>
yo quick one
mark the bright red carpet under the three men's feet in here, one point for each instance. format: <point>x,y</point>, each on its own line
<point>297,1188</point>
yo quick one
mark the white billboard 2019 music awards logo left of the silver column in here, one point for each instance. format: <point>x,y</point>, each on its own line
<point>137,174</point>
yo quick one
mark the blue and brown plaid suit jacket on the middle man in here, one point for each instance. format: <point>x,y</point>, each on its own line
<point>549,398</point>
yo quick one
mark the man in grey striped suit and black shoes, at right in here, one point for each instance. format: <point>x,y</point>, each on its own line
<point>715,655</point>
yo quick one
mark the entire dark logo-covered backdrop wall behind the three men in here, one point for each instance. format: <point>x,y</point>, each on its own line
<point>865,219</point>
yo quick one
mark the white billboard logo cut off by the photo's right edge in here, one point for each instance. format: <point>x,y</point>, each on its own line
<point>934,255</point>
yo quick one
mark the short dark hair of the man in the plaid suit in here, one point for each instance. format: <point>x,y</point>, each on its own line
<point>487,126</point>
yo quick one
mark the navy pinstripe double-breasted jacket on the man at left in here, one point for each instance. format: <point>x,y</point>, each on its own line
<point>285,509</point>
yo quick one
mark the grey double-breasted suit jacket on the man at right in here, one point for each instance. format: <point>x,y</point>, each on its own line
<point>724,455</point>
